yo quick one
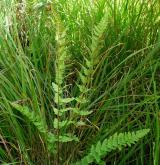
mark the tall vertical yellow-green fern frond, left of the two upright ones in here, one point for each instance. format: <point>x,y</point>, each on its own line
<point>60,99</point>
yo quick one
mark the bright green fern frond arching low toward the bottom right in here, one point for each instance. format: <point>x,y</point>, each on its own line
<point>117,141</point>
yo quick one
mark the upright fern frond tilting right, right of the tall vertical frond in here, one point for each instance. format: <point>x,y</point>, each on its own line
<point>91,62</point>
